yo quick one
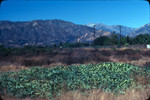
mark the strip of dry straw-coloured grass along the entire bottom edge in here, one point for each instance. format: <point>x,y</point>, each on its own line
<point>95,95</point>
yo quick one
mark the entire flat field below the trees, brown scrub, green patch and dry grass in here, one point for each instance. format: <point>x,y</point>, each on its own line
<point>38,73</point>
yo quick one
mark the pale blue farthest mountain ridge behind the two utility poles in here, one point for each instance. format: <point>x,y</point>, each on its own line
<point>111,28</point>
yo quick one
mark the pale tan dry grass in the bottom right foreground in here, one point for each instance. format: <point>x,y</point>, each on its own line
<point>99,95</point>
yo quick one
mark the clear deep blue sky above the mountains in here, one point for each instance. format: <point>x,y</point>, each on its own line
<point>132,13</point>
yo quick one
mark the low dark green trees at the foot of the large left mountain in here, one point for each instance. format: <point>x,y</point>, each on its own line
<point>36,50</point>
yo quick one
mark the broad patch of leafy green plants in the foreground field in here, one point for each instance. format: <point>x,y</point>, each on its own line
<point>49,82</point>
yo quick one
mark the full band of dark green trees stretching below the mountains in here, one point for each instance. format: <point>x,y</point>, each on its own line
<point>113,39</point>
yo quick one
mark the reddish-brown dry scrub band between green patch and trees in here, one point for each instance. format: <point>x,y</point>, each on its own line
<point>140,57</point>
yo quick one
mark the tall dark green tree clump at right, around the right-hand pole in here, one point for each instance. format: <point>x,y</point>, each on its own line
<point>124,40</point>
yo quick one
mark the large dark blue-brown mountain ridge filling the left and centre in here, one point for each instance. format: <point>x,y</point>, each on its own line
<point>44,32</point>
